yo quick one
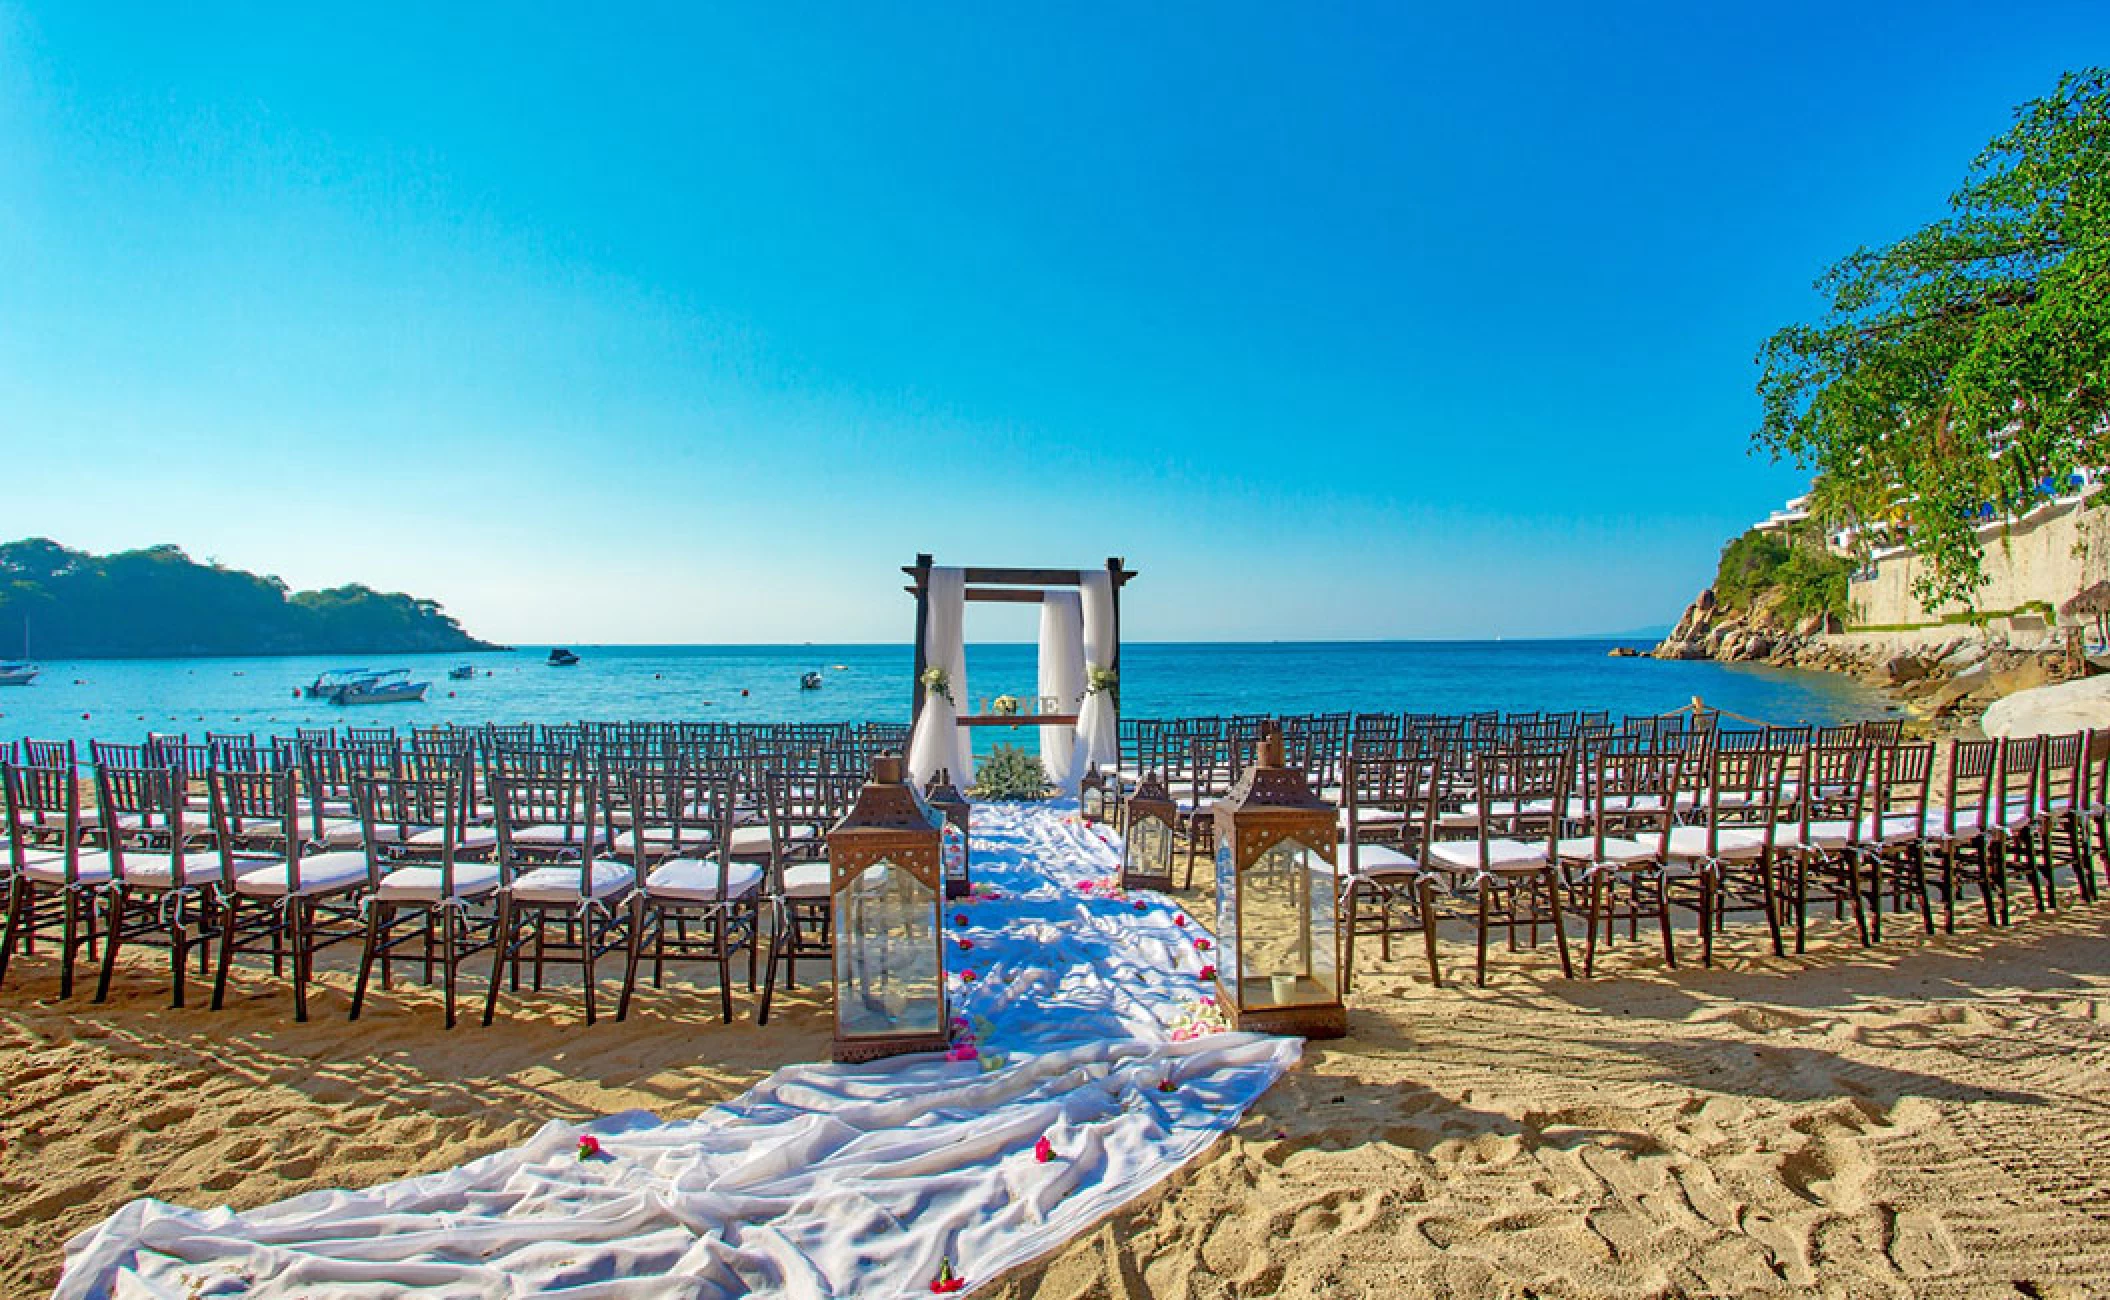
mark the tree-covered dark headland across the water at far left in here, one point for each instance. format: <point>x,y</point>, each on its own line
<point>161,603</point>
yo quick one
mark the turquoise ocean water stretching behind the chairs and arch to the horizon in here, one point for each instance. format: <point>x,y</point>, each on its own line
<point>121,700</point>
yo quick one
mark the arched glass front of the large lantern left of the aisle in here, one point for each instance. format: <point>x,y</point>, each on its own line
<point>887,955</point>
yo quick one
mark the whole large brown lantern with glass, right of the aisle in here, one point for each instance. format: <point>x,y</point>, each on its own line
<point>1278,966</point>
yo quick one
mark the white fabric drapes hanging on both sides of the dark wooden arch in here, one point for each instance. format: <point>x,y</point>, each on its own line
<point>1077,638</point>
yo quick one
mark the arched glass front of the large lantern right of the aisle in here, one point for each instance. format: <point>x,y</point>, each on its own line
<point>1288,930</point>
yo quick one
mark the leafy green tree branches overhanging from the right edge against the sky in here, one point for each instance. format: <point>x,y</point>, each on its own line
<point>1972,360</point>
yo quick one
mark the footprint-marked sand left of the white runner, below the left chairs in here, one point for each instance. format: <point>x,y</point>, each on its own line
<point>244,1107</point>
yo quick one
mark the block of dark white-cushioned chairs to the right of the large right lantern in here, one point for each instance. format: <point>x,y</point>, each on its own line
<point>1626,830</point>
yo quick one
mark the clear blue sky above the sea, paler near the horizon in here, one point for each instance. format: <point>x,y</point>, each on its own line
<point>691,324</point>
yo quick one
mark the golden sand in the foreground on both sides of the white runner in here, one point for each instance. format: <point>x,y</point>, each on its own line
<point>1927,1120</point>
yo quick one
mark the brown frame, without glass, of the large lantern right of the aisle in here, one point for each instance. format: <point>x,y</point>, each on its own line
<point>1269,805</point>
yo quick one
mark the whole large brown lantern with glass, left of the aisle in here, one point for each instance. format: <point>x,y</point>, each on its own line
<point>887,906</point>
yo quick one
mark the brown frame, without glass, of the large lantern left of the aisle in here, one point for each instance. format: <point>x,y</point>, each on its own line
<point>891,824</point>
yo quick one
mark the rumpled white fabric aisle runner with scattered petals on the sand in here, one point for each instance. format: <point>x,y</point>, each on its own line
<point>822,1181</point>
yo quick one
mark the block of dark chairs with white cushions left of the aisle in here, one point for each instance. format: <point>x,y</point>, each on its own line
<point>531,847</point>
